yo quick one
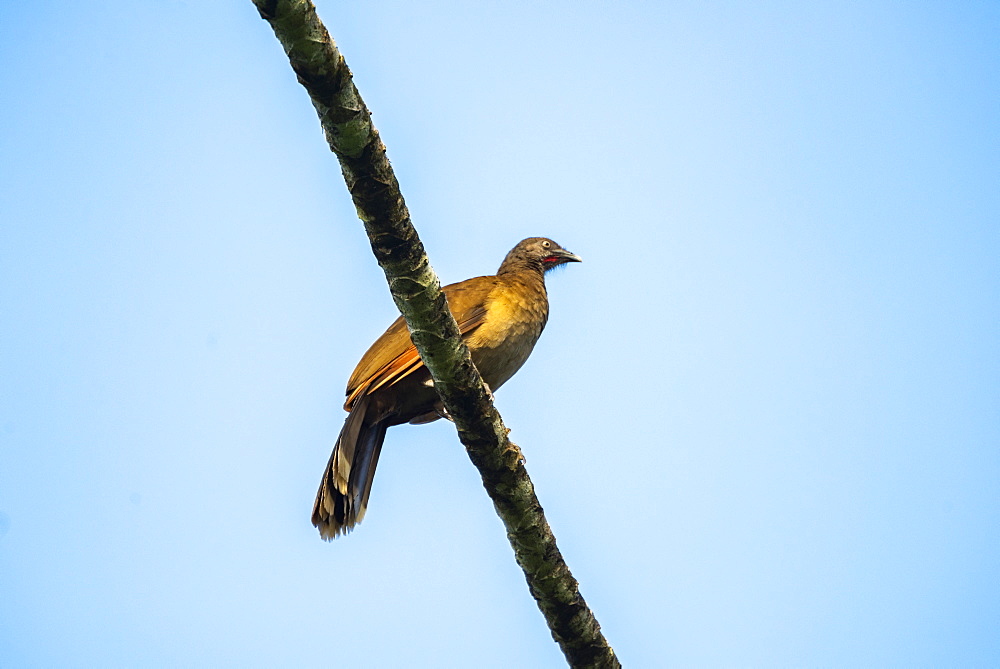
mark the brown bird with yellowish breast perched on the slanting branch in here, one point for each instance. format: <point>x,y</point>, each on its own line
<point>500,318</point>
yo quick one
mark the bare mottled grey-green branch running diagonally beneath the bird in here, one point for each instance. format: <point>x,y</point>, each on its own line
<point>417,293</point>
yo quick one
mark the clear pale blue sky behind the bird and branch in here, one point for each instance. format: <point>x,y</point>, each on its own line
<point>764,419</point>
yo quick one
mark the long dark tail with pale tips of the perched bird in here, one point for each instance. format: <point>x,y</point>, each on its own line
<point>343,493</point>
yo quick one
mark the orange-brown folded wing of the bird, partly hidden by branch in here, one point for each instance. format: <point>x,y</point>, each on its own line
<point>393,356</point>
